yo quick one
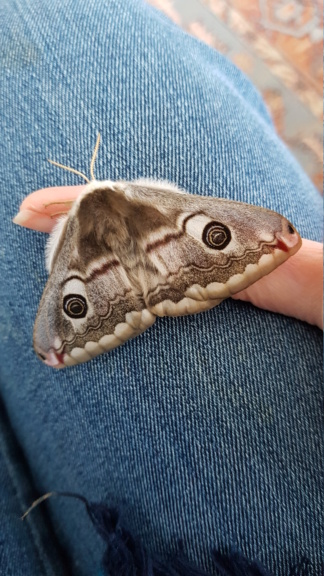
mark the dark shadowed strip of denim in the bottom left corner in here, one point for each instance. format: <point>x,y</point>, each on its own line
<point>28,548</point>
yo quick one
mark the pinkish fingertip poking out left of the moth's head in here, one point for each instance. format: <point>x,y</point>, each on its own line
<point>40,210</point>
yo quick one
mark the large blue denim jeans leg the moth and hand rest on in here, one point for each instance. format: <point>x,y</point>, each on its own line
<point>205,428</point>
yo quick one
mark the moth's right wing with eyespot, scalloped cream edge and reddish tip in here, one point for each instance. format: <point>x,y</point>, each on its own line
<point>212,250</point>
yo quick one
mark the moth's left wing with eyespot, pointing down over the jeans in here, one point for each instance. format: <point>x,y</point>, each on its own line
<point>89,304</point>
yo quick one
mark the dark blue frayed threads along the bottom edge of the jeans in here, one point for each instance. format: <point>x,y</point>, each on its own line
<point>125,556</point>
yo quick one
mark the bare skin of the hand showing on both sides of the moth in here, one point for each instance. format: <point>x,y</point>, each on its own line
<point>294,289</point>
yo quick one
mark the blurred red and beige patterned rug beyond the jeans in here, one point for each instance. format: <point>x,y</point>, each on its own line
<point>278,44</point>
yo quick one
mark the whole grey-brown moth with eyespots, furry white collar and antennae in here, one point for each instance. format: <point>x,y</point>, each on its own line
<point>128,252</point>
